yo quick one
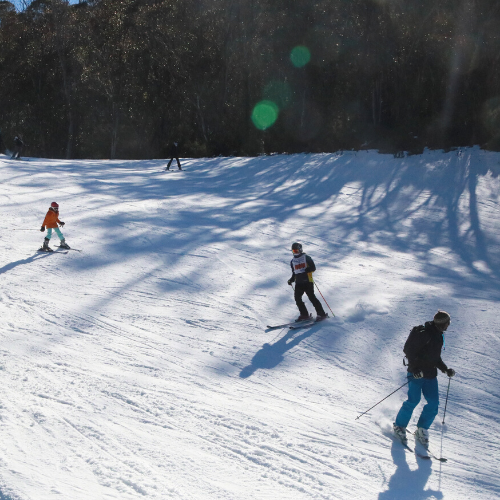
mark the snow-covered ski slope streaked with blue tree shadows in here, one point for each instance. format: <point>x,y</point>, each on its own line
<point>141,367</point>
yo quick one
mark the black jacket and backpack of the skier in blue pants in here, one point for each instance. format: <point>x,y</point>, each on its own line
<point>423,350</point>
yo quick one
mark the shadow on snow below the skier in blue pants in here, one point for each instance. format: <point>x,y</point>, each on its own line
<point>406,483</point>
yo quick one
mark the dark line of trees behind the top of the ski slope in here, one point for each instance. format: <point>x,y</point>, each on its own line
<point>126,78</point>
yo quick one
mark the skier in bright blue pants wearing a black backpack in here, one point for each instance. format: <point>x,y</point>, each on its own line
<point>423,350</point>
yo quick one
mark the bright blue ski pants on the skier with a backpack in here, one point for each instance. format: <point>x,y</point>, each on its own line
<point>416,387</point>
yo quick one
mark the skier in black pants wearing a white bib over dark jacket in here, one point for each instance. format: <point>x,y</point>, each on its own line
<point>302,268</point>
